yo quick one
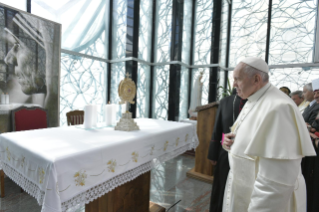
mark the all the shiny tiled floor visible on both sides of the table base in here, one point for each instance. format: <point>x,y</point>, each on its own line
<point>169,185</point>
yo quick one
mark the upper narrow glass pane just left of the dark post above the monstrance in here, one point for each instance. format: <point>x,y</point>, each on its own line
<point>119,29</point>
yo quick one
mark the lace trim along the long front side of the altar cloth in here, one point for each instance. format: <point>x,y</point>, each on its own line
<point>97,191</point>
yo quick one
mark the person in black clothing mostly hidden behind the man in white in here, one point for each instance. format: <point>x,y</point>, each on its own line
<point>228,110</point>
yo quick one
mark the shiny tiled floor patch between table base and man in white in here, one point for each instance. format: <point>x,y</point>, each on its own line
<point>170,184</point>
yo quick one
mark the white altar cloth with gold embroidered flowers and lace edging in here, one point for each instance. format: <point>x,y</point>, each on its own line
<point>67,167</point>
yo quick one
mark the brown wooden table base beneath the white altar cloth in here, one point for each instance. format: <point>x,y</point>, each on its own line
<point>129,197</point>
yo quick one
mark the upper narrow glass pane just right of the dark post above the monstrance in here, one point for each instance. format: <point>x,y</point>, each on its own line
<point>145,30</point>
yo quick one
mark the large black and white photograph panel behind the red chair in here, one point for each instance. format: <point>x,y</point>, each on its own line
<point>30,60</point>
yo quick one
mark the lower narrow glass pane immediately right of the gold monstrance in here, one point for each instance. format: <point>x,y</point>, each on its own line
<point>143,91</point>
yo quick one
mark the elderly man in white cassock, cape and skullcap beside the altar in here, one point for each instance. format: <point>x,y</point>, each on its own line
<point>265,147</point>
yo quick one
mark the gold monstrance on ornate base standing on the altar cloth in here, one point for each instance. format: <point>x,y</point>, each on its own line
<point>127,92</point>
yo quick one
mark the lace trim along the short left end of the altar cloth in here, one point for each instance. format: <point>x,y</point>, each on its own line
<point>27,185</point>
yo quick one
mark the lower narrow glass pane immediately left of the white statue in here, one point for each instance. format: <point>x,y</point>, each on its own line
<point>183,97</point>
